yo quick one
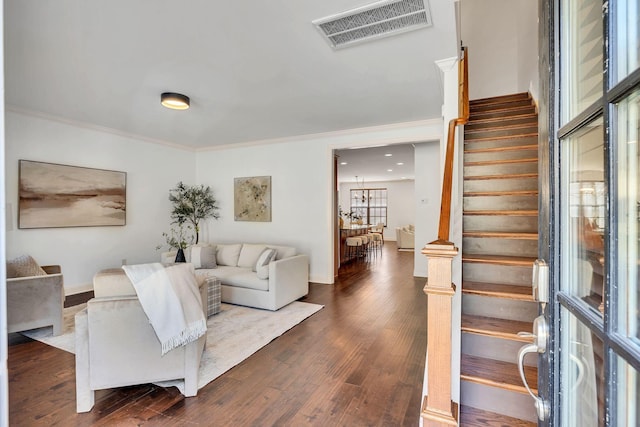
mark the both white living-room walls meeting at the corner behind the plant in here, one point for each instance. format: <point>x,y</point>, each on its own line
<point>301,171</point>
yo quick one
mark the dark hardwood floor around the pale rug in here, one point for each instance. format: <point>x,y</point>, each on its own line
<point>357,362</point>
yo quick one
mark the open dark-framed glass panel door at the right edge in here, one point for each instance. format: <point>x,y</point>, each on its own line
<point>594,207</point>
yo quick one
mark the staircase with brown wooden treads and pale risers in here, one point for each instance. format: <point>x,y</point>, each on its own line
<point>499,245</point>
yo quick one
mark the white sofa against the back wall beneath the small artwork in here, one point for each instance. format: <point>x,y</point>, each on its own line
<point>287,281</point>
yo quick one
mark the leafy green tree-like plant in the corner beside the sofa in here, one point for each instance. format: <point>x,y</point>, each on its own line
<point>192,204</point>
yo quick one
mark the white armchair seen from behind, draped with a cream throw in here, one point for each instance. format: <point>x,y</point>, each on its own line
<point>116,345</point>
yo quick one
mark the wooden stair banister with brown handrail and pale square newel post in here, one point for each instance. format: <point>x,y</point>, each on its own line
<point>438,408</point>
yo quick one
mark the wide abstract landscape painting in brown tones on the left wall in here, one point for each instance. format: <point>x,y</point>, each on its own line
<point>53,195</point>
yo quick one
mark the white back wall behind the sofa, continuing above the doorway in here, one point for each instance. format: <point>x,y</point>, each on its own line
<point>301,178</point>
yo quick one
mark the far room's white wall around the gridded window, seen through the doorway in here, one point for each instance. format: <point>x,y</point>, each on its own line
<point>401,203</point>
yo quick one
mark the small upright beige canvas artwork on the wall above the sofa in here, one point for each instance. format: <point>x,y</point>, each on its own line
<point>252,199</point>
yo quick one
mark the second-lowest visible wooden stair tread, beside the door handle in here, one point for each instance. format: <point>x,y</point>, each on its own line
<point>496,373</point>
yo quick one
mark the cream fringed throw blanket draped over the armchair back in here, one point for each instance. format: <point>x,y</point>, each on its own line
<point>171,300</point>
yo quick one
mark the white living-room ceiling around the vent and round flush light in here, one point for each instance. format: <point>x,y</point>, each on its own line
<point>255,71</point>
